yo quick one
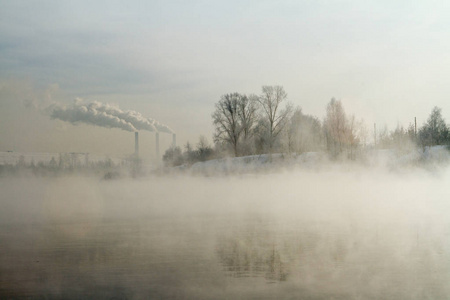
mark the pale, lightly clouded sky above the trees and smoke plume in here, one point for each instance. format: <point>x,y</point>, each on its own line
<point>172,60</point>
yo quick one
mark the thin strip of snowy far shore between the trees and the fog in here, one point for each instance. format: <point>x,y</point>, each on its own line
<point>386,158</point>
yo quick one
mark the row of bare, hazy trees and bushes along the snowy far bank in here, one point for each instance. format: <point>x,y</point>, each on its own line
<point>268,123</point>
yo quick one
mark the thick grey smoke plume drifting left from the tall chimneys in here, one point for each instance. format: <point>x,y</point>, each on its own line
<point>106,115</point>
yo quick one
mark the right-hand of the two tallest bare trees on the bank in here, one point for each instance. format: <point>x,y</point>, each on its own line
<point>274,117</point>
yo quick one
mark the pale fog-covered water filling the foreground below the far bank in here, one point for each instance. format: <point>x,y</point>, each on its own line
<point>339,232</point>
